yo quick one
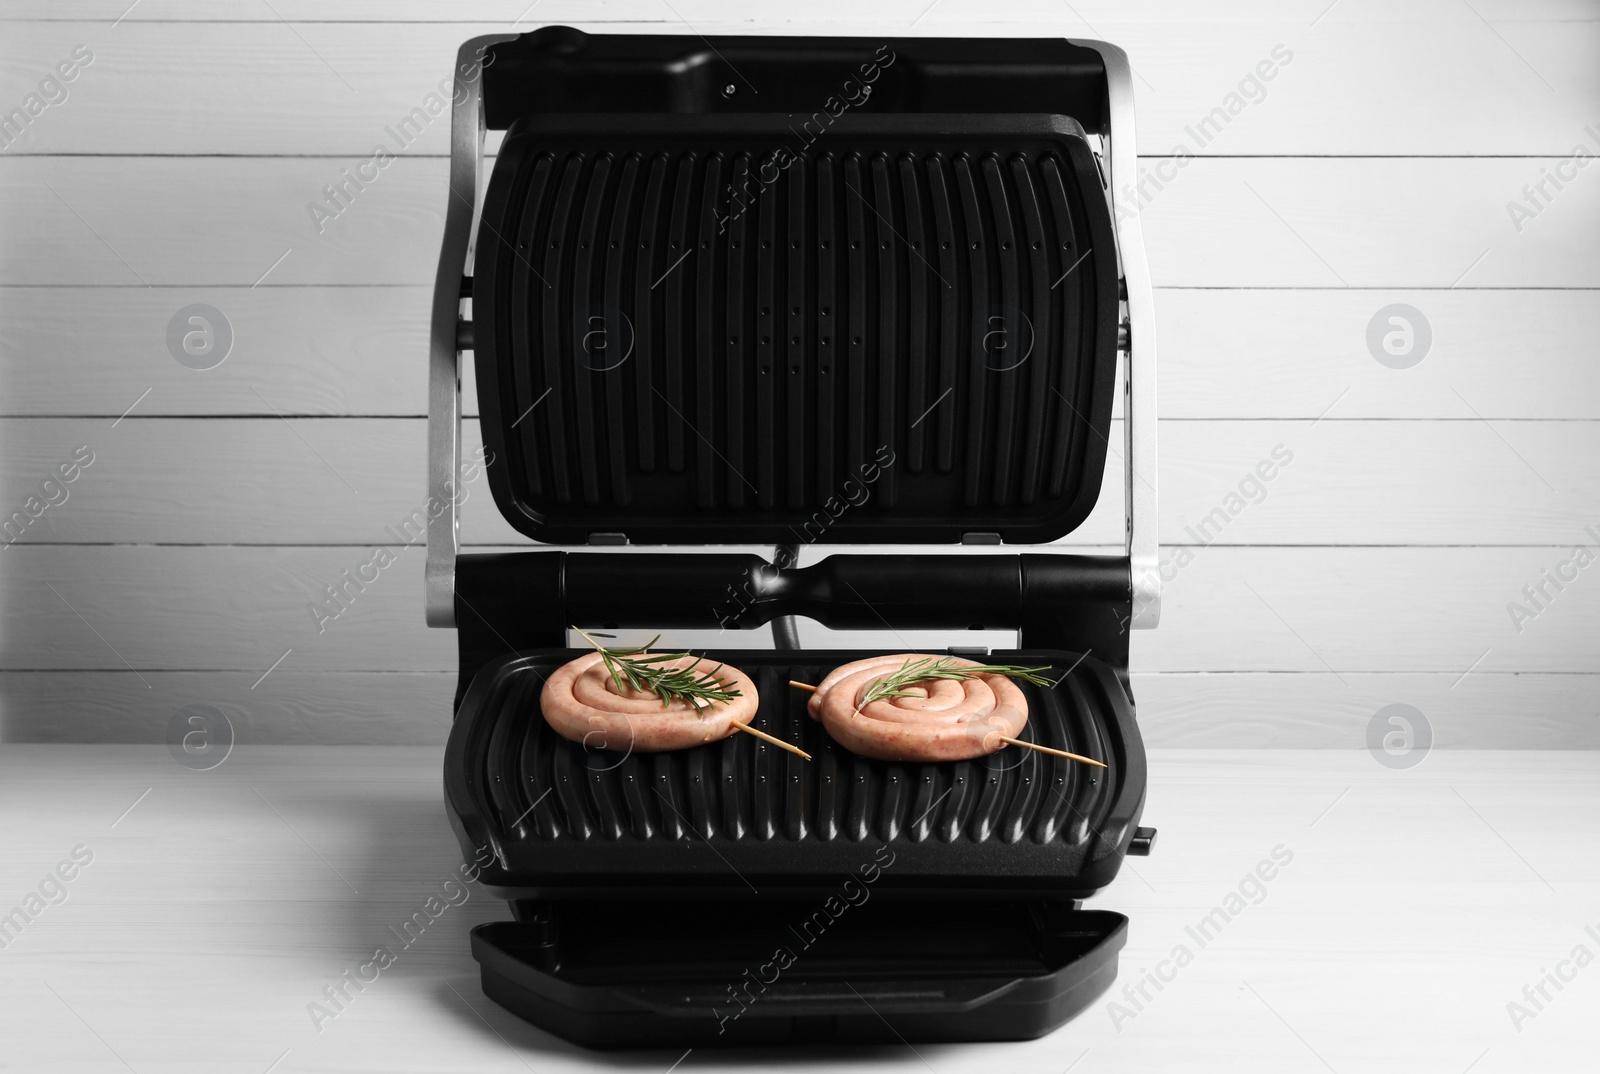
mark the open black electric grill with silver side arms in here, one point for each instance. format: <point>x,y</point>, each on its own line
<point>794,292</point>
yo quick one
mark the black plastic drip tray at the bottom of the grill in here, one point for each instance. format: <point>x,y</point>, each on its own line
<point>641,974</point>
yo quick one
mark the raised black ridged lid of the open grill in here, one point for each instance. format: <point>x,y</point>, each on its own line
<point>817,313</point>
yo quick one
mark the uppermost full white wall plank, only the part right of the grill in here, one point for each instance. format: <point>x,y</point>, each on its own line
<point>1330,81</point>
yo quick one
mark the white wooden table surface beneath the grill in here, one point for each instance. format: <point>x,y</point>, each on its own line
<point>220,904</point>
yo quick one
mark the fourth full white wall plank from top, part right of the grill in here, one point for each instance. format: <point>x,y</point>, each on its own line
<point>1378,483</point>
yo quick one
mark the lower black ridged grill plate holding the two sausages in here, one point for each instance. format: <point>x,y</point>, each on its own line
<point>742,814</point>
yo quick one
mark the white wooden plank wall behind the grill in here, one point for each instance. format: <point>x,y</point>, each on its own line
<point>1377,170</point>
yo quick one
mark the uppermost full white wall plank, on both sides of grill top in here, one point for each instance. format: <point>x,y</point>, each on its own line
<point>1444,84</point>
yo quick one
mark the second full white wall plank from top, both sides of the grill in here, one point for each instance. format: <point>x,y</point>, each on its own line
<point>1322,223</point>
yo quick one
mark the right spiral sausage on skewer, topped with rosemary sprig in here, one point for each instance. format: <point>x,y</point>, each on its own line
<point>951,721</point>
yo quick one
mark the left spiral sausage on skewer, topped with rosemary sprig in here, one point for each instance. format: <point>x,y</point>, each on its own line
<point>583,703</point>
